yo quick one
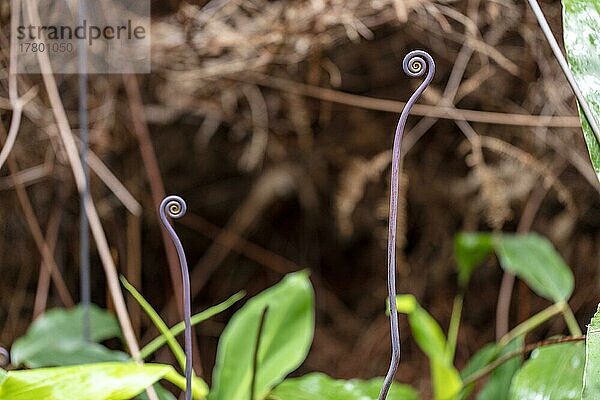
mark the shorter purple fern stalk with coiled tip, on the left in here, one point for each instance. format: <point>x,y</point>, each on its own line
<point>175,207</point>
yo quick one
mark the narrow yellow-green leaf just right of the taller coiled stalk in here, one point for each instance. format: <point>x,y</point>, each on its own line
<point>431,339</point>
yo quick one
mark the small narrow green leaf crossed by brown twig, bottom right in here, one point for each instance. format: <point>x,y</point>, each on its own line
<point>498,384</point>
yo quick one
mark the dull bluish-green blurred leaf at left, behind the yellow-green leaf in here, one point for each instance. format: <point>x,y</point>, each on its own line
<point>56,338</point>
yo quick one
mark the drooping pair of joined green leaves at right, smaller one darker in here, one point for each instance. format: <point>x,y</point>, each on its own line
<point>531,257</point>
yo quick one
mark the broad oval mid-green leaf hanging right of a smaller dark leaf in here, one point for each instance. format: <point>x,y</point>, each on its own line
<point>534,260</point>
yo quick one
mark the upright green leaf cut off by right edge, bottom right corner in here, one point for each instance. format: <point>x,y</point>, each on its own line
<point>591,381</point>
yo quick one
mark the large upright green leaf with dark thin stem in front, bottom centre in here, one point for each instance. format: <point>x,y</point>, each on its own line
<point>286,337</point>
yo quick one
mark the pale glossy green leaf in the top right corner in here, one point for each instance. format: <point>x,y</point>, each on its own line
<point>581,19</point>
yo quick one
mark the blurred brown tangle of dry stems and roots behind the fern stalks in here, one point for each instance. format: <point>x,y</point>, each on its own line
<point>274,120</point>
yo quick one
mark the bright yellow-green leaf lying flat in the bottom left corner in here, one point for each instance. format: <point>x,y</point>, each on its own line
<point>106,381</point>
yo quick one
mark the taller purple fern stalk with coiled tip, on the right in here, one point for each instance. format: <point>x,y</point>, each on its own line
<point>415,64</point>
